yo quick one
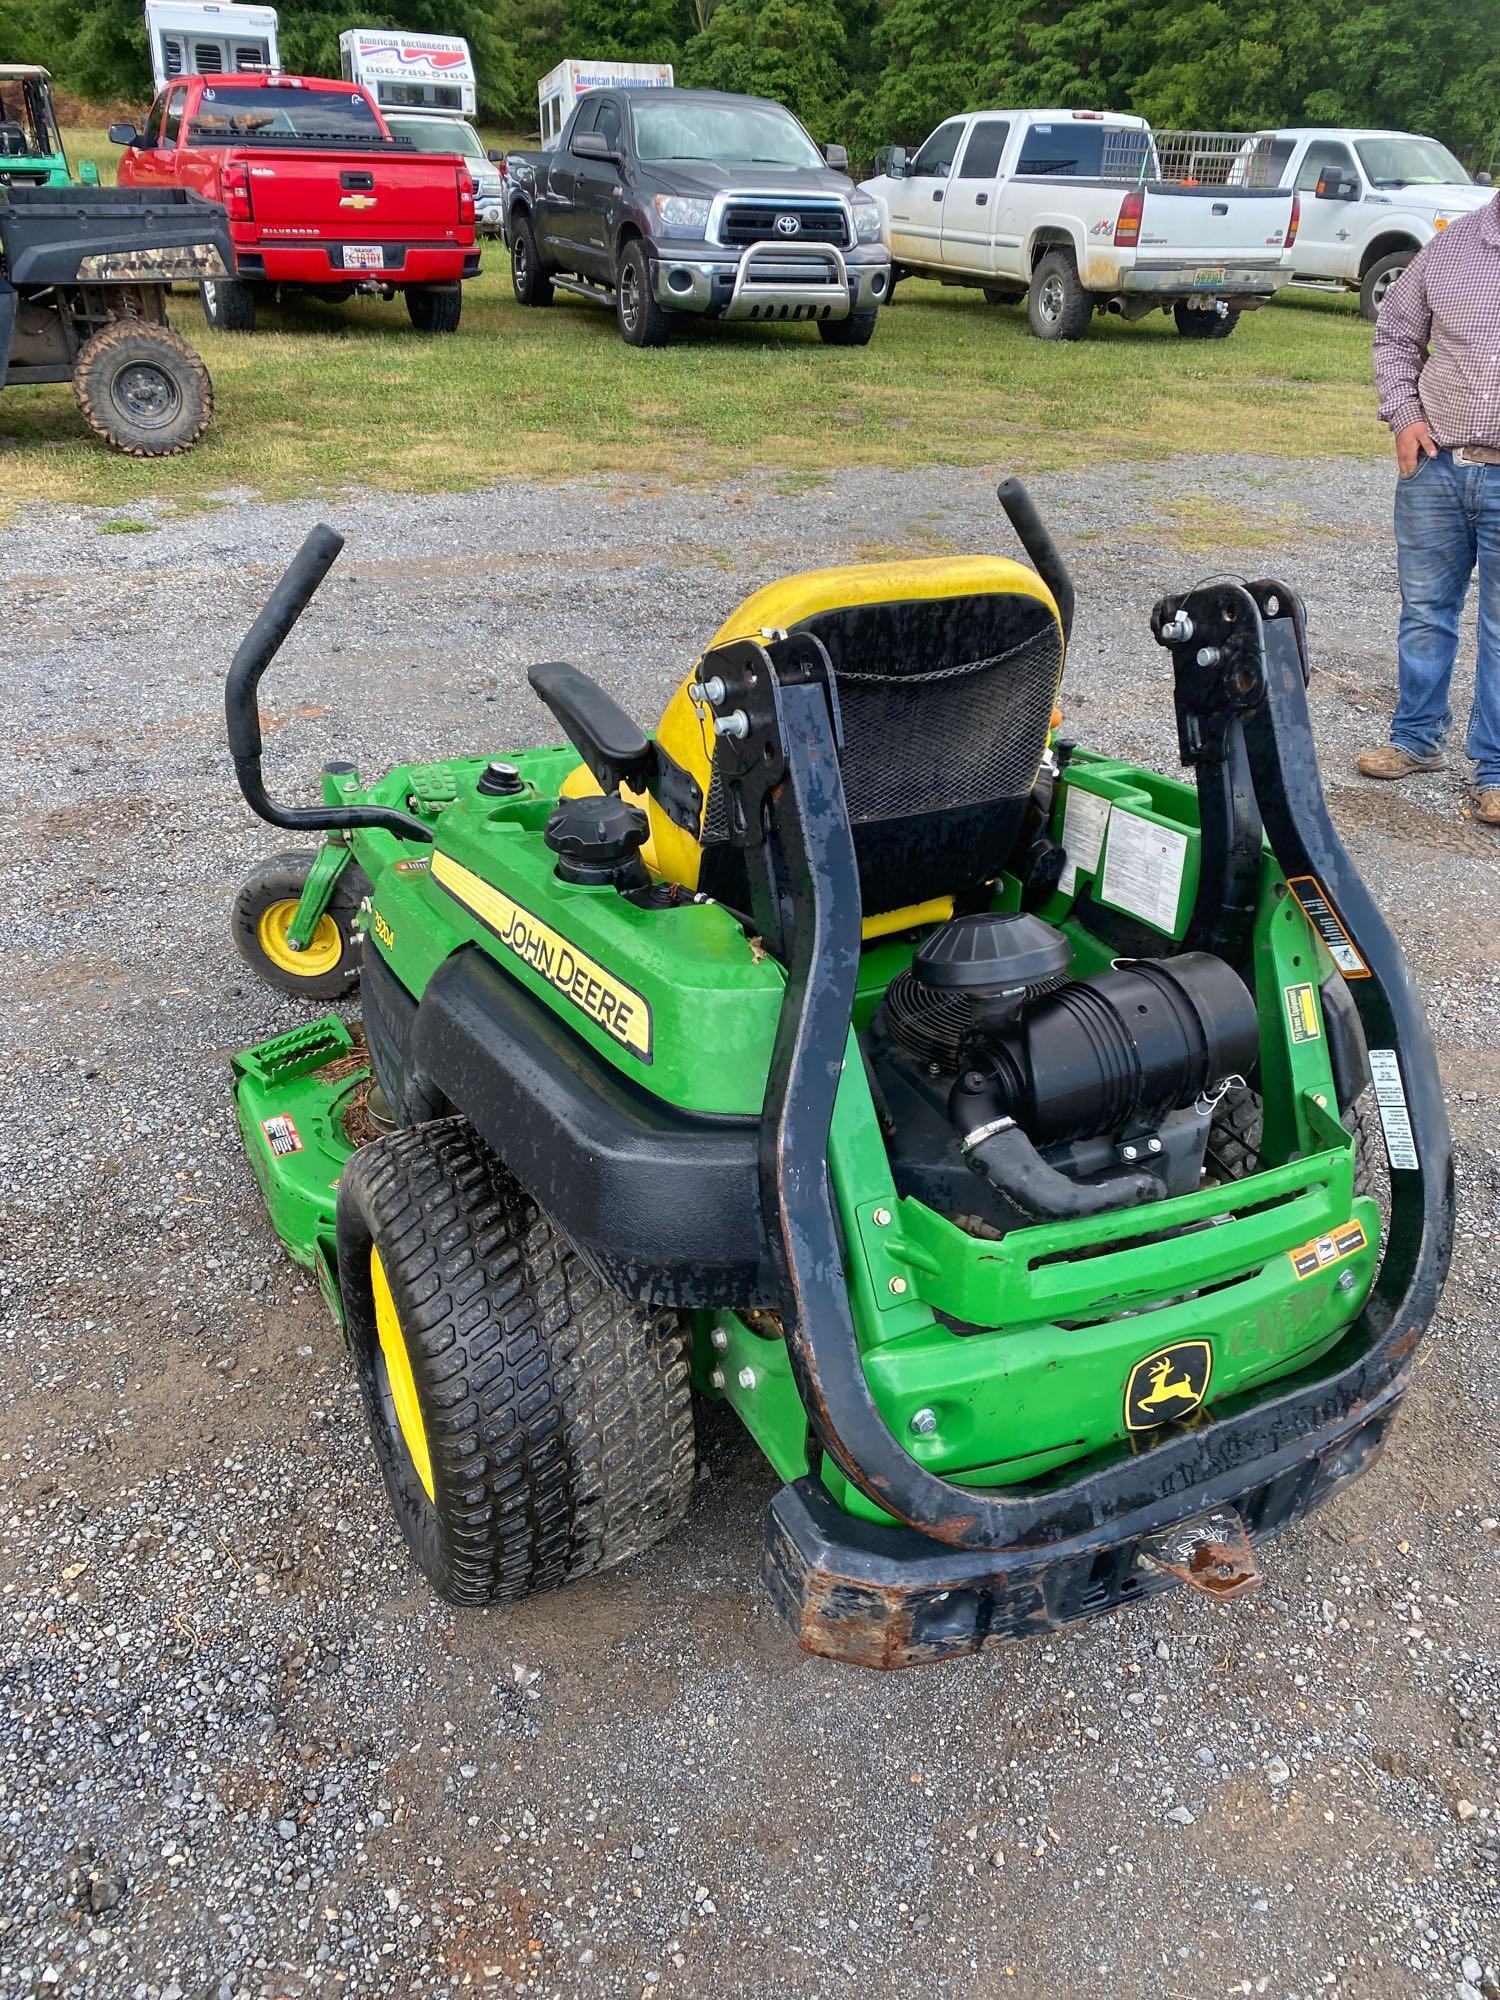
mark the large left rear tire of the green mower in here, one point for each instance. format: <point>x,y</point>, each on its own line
<point>557,1415</point>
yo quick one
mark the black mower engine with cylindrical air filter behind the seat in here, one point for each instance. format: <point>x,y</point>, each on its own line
<point>1015,1095</point>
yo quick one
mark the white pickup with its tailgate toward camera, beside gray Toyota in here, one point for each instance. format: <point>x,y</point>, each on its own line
<point>1083,211</point>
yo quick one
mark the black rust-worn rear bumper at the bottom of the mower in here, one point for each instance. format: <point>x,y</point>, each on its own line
<point>889,1597</point>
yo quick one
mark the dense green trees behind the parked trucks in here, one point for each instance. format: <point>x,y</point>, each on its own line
<point>887,71</point>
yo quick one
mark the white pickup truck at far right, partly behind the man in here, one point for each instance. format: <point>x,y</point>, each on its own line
<point>1369,203</point>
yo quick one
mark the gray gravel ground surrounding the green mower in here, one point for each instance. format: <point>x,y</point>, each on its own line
<point>243,1753</point>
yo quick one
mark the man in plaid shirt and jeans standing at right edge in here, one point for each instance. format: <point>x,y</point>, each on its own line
<point>1437,363</point>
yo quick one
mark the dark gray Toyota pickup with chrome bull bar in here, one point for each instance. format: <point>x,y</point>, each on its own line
<point>695,201</point>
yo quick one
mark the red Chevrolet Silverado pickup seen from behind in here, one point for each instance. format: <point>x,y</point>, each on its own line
<point>319,195</point>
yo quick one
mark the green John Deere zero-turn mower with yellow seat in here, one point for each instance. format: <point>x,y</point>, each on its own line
<point>1043,1157</point>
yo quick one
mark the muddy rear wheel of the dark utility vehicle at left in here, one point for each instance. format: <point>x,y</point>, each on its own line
<point>143,389</point>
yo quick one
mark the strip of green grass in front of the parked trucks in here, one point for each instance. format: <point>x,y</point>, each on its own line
<point>327,397</point>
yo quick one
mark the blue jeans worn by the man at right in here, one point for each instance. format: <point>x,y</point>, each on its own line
<point>1447,525</point>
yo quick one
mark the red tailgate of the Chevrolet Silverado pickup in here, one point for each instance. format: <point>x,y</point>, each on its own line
<point>363,197</point>
